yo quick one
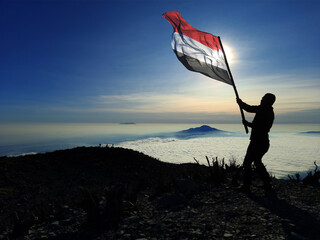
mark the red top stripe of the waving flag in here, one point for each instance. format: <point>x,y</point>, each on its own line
<point>181,26</point>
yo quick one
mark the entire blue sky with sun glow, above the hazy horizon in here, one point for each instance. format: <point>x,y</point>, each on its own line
<point>112,61</point>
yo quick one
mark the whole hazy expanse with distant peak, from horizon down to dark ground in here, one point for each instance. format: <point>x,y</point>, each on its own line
<point>294,148</point>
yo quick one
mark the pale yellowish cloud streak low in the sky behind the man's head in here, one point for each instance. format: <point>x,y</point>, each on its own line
<point>293,95</point>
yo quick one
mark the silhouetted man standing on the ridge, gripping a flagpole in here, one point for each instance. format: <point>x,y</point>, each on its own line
<point>259,140</point>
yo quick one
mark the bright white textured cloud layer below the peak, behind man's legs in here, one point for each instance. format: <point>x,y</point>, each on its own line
<point>288,154</point>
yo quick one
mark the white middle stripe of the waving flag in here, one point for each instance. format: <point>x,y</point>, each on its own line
<point>195,49</point>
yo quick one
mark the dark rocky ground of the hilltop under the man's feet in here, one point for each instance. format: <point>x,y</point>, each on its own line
<point>113,193</point>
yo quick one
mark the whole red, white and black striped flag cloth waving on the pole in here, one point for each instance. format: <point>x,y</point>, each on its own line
<point>198,51</point>
